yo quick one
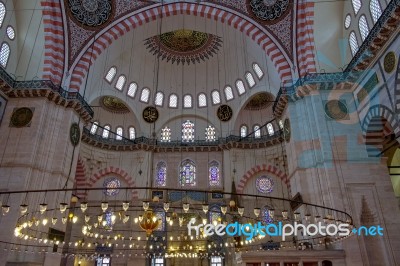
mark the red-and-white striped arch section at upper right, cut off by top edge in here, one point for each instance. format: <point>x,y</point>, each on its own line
<point>305,38</point>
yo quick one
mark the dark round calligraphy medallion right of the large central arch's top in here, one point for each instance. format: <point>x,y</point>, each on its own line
<point>269,10</point>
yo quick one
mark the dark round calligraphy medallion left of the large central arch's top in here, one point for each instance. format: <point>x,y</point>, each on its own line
<point>92,13</point>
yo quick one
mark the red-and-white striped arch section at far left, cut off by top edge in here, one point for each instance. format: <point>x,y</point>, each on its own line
<point>54,53</point>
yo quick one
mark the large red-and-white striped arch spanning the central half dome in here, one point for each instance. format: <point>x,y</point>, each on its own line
<point>218,13</point>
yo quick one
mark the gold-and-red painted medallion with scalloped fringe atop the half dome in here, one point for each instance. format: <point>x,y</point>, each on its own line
<point>184,46</point>
